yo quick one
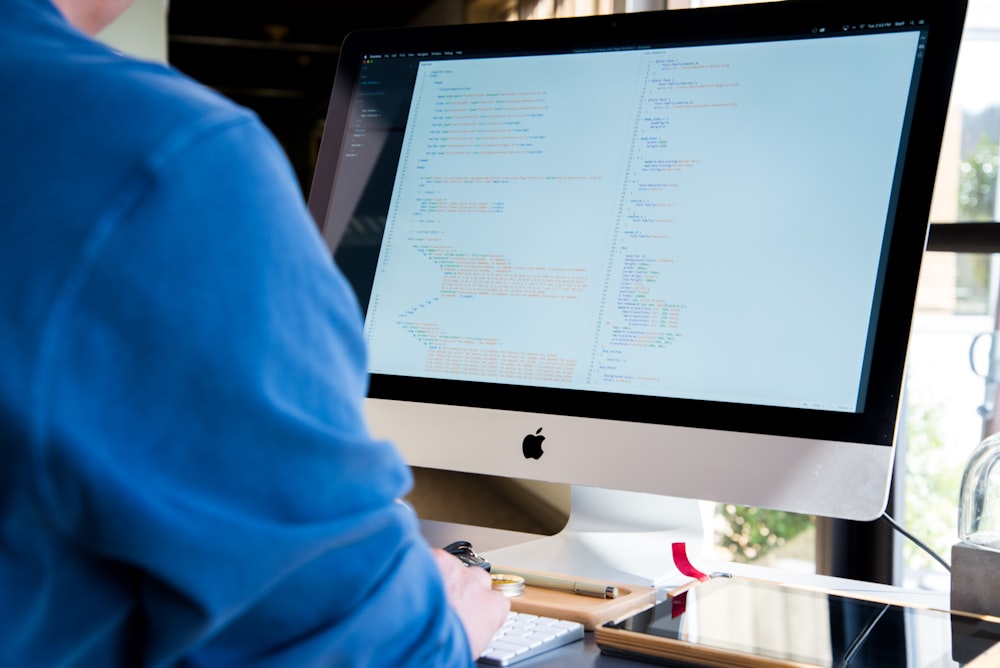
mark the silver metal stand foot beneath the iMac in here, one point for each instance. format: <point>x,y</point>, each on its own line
<point>612,535</point>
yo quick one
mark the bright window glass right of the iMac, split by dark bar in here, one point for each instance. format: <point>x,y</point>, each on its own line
<point>947,395</point>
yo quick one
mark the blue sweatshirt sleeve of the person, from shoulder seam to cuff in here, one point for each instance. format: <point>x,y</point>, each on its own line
<point>201,415</point>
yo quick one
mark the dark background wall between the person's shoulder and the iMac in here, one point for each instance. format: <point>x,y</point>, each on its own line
<point>276,57</point>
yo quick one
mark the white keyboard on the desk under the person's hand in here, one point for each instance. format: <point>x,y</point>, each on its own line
<point>523,636</point>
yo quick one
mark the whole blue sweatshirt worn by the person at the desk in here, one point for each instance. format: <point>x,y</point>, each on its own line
<point>185,473</point>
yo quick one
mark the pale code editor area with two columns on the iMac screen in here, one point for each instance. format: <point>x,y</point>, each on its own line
<point>699,222</point>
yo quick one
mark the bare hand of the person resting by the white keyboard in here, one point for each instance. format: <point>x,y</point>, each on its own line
<point>470,593</point>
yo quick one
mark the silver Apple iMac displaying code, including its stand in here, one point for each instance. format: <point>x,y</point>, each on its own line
<point>656,256</point>
